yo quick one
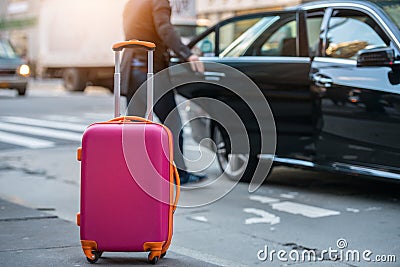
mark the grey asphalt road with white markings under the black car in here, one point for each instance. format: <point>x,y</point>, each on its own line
<point>297,218</point>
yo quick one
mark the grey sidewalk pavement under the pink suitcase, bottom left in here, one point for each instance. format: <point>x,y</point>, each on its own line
<point>29,237</point>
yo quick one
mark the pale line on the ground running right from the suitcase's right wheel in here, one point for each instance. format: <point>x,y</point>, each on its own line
<point>211,259</point>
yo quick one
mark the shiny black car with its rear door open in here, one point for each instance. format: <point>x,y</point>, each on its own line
<point>331,74</point>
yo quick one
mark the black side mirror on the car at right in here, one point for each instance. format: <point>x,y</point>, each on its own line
<point>378,57</point>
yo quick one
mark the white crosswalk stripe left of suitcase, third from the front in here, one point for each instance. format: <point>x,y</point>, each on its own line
<point>44,123</point>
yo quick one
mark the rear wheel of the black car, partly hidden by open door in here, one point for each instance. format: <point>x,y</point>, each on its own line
<point>238,167</point>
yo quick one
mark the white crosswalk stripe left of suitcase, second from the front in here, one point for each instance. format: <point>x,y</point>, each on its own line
<point>40,131</point>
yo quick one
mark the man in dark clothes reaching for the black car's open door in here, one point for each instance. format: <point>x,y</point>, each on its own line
<point>150,20</point>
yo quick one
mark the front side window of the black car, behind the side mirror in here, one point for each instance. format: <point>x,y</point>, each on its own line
<point>350,32</point>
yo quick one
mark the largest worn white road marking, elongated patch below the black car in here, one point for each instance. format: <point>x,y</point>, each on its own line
<point>304,210</point>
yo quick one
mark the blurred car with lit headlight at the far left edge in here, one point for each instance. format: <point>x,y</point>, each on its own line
<point>13,69</point>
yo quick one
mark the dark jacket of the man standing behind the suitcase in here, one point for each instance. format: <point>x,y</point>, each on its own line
<point>149,20</point>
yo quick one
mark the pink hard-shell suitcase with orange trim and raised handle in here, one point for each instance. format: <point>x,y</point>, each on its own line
<point>127,180</point>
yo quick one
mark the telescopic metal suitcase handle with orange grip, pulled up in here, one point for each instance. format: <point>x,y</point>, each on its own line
<point>118,47</point>
